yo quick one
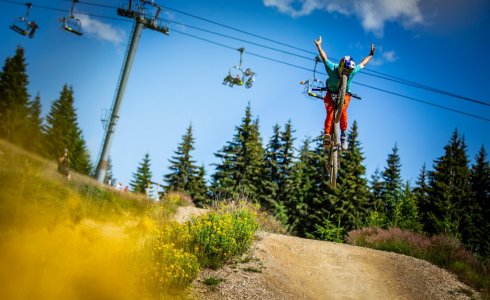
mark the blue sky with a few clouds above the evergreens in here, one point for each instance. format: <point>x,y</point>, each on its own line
<point>176,79</point>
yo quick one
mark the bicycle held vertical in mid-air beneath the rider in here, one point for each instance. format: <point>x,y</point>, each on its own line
<point>333,160</point>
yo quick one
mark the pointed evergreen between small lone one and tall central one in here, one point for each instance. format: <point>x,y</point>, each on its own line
<point>183,171</point>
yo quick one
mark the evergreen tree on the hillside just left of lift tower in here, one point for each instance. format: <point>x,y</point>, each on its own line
<point>62,132</point>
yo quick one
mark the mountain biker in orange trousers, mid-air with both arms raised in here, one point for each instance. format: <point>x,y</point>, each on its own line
<point>345,66</point>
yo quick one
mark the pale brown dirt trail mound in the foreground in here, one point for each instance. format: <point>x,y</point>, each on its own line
<point>285,267</point>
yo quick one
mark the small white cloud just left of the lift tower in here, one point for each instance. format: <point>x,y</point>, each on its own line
<point>101,30</point>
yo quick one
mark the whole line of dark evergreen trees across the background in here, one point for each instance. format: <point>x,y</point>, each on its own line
<point>292,184</point>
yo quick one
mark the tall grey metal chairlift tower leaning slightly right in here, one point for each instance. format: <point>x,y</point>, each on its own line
<point>145,13</point>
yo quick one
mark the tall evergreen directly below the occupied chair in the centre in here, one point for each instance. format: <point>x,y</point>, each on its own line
<point>241,170</point>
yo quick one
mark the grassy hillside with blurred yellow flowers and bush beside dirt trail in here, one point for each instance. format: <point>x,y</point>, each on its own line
<point>82,240</point>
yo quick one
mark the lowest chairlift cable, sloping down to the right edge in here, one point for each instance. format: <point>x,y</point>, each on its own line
<point>279,61</point>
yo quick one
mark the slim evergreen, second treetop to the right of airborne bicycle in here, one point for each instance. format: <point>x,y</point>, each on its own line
<point>392,183</point>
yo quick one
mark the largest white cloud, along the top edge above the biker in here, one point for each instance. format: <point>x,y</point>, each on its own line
<point>373,14</point>
